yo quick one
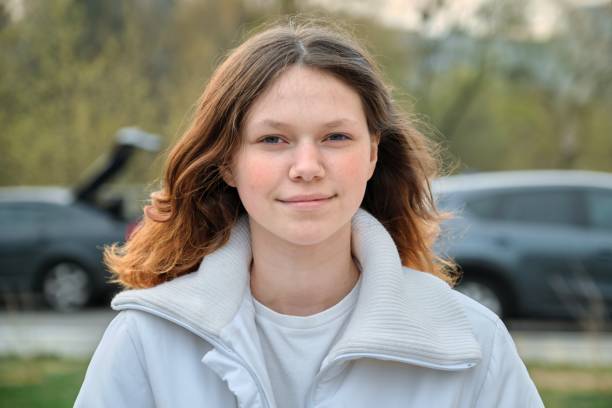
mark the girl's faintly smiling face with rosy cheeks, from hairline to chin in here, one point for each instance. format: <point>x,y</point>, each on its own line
<point>306,157</point>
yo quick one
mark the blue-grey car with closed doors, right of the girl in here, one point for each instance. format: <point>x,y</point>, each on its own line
<point>532,243</point>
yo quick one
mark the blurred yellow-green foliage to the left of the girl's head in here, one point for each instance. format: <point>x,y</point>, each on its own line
<point>67,88</point>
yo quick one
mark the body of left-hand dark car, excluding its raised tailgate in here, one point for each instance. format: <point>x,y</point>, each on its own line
<point>50,246</point>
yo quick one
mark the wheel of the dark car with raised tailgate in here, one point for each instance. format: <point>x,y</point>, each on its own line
<point>67,286</point>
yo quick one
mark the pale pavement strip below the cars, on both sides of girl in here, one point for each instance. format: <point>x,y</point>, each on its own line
<point>76,335</point>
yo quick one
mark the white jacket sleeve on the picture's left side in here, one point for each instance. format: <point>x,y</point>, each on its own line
<point>116,376</point>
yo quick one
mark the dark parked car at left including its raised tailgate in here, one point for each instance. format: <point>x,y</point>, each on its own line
<point>51,238</point>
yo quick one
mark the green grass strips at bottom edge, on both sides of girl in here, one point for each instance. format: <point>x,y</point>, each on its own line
<point>51,382</point>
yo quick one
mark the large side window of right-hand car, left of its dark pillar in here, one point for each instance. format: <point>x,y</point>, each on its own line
<point>541,207</point>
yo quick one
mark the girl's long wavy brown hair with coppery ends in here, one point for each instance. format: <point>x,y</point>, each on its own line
<point>195,210</point>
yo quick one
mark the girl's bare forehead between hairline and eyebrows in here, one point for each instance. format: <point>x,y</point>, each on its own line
<point>301,92</point>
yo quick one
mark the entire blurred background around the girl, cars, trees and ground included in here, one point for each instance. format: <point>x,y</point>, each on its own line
<point>518,93</point>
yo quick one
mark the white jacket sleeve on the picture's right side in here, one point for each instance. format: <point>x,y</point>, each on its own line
<point>507,383</point>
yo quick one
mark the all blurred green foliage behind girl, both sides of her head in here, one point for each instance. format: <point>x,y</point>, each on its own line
<point>75,71</point>
